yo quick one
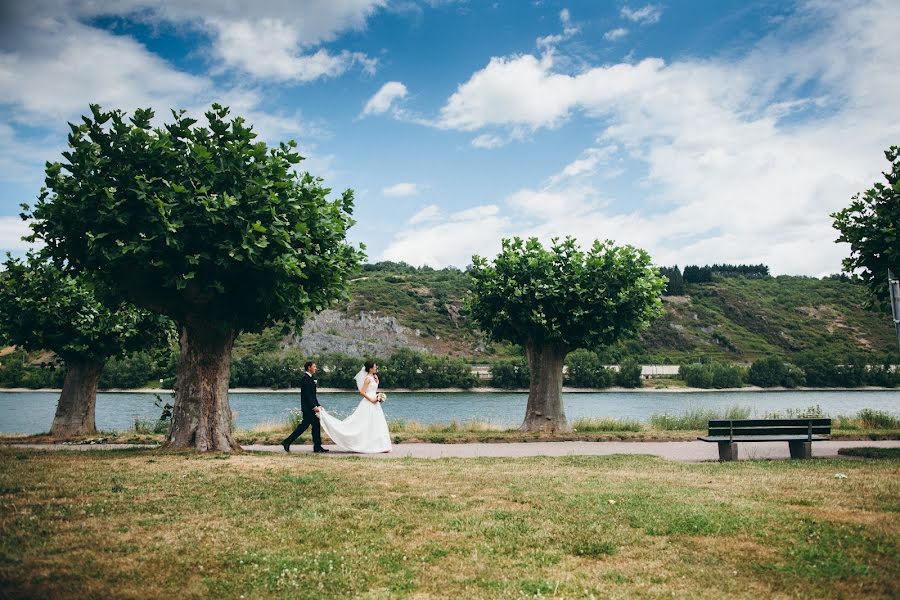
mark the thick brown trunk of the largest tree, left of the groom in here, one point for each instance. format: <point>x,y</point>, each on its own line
<point>201,417</point>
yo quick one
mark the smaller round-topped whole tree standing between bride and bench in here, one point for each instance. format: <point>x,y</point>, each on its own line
<point>554,301</point>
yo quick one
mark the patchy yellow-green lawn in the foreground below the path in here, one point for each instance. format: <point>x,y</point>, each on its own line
<point>144,524</point>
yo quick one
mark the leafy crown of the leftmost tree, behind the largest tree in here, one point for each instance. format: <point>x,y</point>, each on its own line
<point>43,308</point>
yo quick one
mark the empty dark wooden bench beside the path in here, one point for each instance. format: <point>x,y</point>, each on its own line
<point>798,433</point>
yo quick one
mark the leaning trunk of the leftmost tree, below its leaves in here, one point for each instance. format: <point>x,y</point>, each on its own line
<point>78,400</point>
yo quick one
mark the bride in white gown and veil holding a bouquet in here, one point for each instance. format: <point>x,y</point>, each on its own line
<point>365,430</point>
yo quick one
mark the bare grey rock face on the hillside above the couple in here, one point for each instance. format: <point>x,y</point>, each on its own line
<point>361,334</point>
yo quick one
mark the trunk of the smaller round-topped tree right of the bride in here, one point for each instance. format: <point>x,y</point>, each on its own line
<point>545,410</point>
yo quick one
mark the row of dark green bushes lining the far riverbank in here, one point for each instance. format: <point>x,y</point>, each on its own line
<point>418,370</point>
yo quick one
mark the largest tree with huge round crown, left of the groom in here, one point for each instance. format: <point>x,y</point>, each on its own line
<point>204,225</point>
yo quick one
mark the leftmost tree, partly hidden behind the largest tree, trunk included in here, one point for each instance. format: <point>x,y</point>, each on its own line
<point>42,308</point>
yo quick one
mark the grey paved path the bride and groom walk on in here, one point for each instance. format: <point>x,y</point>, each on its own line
<point>682,451</point>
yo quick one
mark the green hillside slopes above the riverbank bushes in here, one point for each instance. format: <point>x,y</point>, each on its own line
<point>737,319</point>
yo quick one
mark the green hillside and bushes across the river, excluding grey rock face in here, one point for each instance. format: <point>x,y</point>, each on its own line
<point>817,330</point>
